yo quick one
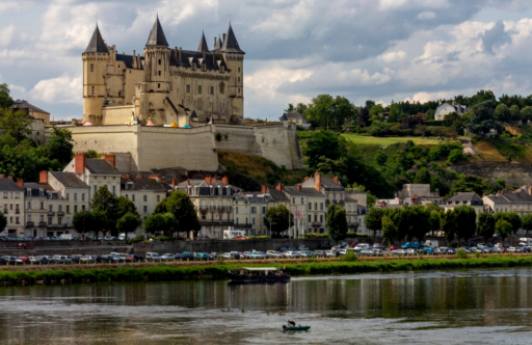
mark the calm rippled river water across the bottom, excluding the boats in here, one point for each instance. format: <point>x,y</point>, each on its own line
<point>443,307</point>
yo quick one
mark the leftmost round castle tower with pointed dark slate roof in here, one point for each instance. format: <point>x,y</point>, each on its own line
<point>95,58</point>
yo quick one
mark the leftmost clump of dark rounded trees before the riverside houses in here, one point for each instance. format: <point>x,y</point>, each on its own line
<point>108,214</point>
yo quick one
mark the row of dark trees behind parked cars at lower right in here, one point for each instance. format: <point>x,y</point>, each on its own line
<point>459,224</point>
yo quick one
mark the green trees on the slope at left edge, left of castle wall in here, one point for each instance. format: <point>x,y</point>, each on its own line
<point>20,156</point>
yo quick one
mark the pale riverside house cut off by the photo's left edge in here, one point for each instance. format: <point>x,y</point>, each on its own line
<point>12,205</point>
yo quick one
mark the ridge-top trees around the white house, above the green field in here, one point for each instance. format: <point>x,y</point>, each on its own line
<point>484,113</point>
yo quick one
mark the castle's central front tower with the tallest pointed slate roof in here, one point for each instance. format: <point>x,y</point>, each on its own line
<point>157,83</point>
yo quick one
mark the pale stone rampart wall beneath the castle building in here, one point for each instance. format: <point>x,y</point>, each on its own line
<point>192,149</point>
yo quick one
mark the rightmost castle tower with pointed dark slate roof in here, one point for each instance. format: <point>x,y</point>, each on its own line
<point>234,57</point>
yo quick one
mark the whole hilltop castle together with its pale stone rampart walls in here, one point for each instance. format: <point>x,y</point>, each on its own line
<point>173,108</point>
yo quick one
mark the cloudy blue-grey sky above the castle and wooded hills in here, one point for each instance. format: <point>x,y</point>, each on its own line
<point>295,49</point>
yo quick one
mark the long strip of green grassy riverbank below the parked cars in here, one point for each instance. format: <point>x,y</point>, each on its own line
<point>220,270</point>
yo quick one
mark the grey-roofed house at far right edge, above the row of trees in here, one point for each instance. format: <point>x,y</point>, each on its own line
<point>519,201</point>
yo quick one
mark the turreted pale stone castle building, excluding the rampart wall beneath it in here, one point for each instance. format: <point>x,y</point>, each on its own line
<point>164,85</point>
